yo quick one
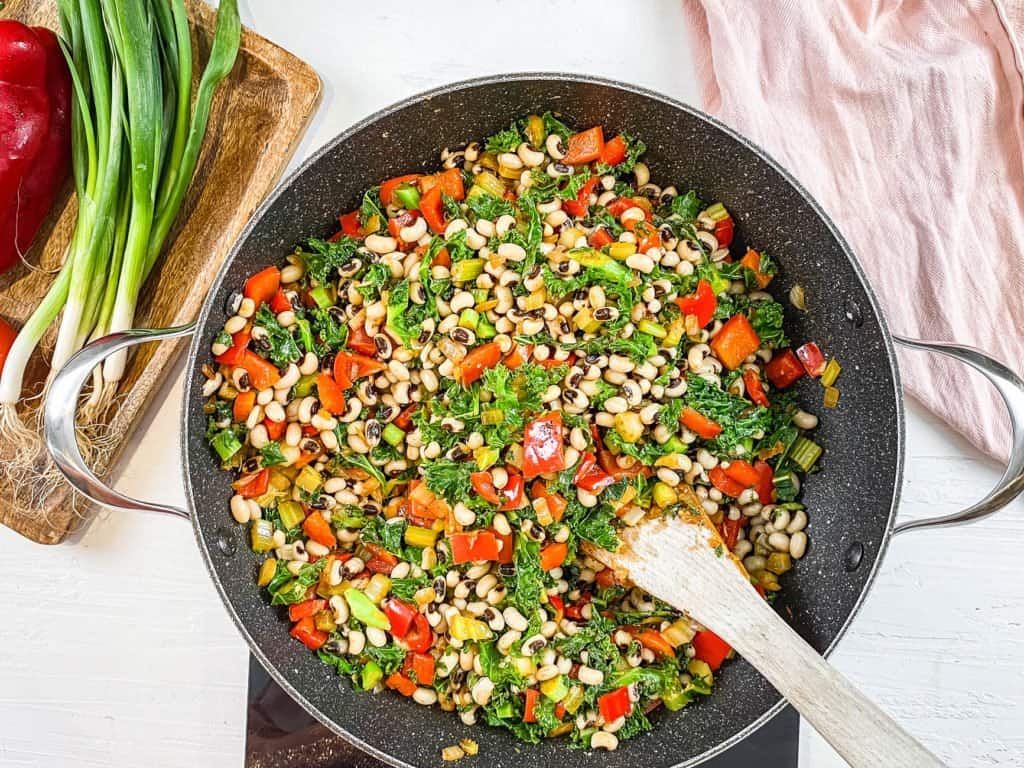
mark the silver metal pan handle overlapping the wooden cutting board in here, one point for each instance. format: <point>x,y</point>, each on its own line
<point>62,404</point>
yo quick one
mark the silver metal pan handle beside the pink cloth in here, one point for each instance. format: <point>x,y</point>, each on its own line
<point>1011,388</point>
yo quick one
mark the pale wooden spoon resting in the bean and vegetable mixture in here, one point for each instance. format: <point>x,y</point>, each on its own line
<point>684,562</point>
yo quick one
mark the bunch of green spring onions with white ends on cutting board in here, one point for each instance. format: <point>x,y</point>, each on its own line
<point>136,143</point>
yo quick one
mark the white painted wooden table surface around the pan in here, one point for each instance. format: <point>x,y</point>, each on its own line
<point>116,652</point>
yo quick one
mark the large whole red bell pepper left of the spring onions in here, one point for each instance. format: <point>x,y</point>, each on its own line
<point>35,133</point>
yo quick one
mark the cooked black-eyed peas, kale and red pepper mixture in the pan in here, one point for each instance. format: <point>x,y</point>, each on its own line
<point>432,414</point>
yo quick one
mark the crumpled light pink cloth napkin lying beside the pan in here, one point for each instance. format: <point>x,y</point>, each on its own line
<point>906,120</point>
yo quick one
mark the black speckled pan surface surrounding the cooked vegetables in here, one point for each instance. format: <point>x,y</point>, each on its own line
<point>851,503</point>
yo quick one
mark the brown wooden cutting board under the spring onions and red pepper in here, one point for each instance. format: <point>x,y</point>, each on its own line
<point>260,114</point>
